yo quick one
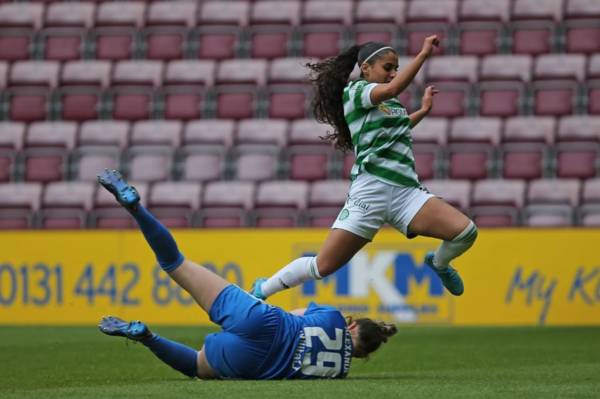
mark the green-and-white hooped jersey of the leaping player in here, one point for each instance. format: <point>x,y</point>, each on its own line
<point>380,136</point>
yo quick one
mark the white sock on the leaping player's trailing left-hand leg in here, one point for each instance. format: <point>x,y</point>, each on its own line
<point>295,273</point>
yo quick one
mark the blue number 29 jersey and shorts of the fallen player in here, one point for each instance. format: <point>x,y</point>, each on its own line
<point>261,341</point>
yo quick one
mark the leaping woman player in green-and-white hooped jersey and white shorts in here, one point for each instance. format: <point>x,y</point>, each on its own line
<point>367,118</point>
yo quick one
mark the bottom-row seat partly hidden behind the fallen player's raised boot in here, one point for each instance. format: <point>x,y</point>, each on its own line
<point>108,214</point>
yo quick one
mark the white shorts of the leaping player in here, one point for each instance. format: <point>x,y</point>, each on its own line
<point>372,202</point>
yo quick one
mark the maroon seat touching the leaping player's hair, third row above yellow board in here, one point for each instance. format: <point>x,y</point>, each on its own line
<point>288,91</point>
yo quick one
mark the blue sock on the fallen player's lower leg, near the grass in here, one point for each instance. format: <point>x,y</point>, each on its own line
<point>182,358</point>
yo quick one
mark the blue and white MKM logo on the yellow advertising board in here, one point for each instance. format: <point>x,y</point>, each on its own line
<point>384,284</point>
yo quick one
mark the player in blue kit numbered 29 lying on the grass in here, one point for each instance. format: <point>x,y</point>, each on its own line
<point>257,341</point>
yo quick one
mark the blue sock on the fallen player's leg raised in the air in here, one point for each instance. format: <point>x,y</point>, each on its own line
<point>160,239</point>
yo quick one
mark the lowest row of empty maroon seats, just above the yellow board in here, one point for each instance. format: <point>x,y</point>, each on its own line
<point>492,203</point>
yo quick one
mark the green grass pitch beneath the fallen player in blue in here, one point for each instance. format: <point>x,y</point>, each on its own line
<point>420,362</point>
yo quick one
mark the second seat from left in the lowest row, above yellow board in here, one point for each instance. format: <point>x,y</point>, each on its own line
<point>65,205</point>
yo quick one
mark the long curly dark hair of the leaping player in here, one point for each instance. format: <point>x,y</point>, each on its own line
<point>329,77</point>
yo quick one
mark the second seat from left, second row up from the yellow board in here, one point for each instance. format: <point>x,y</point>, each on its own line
<point>46,150</point>
